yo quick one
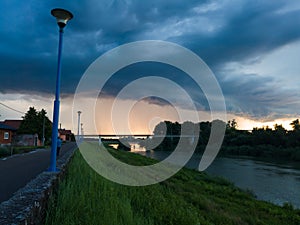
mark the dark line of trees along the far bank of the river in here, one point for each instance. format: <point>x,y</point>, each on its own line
<point>264,142</point>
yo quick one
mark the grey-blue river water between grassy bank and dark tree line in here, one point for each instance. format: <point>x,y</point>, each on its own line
<point>273,182</point>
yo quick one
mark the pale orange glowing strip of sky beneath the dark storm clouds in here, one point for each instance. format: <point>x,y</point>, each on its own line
<point>142,118</point>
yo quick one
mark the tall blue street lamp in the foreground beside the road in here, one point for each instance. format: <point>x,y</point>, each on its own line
<point>62,17</point>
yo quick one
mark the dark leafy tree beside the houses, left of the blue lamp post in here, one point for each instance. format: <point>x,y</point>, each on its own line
<point>33,123</point>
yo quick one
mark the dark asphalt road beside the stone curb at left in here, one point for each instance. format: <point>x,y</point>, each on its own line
<point>18,170</point>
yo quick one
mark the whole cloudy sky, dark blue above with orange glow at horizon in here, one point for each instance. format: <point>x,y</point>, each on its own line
<point>252,47</point>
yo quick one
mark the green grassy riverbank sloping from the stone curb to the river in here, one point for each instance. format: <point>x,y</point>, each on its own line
<point>188,198</point>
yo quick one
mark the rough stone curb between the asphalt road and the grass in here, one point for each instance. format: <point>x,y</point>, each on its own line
<point>28,206</point>
